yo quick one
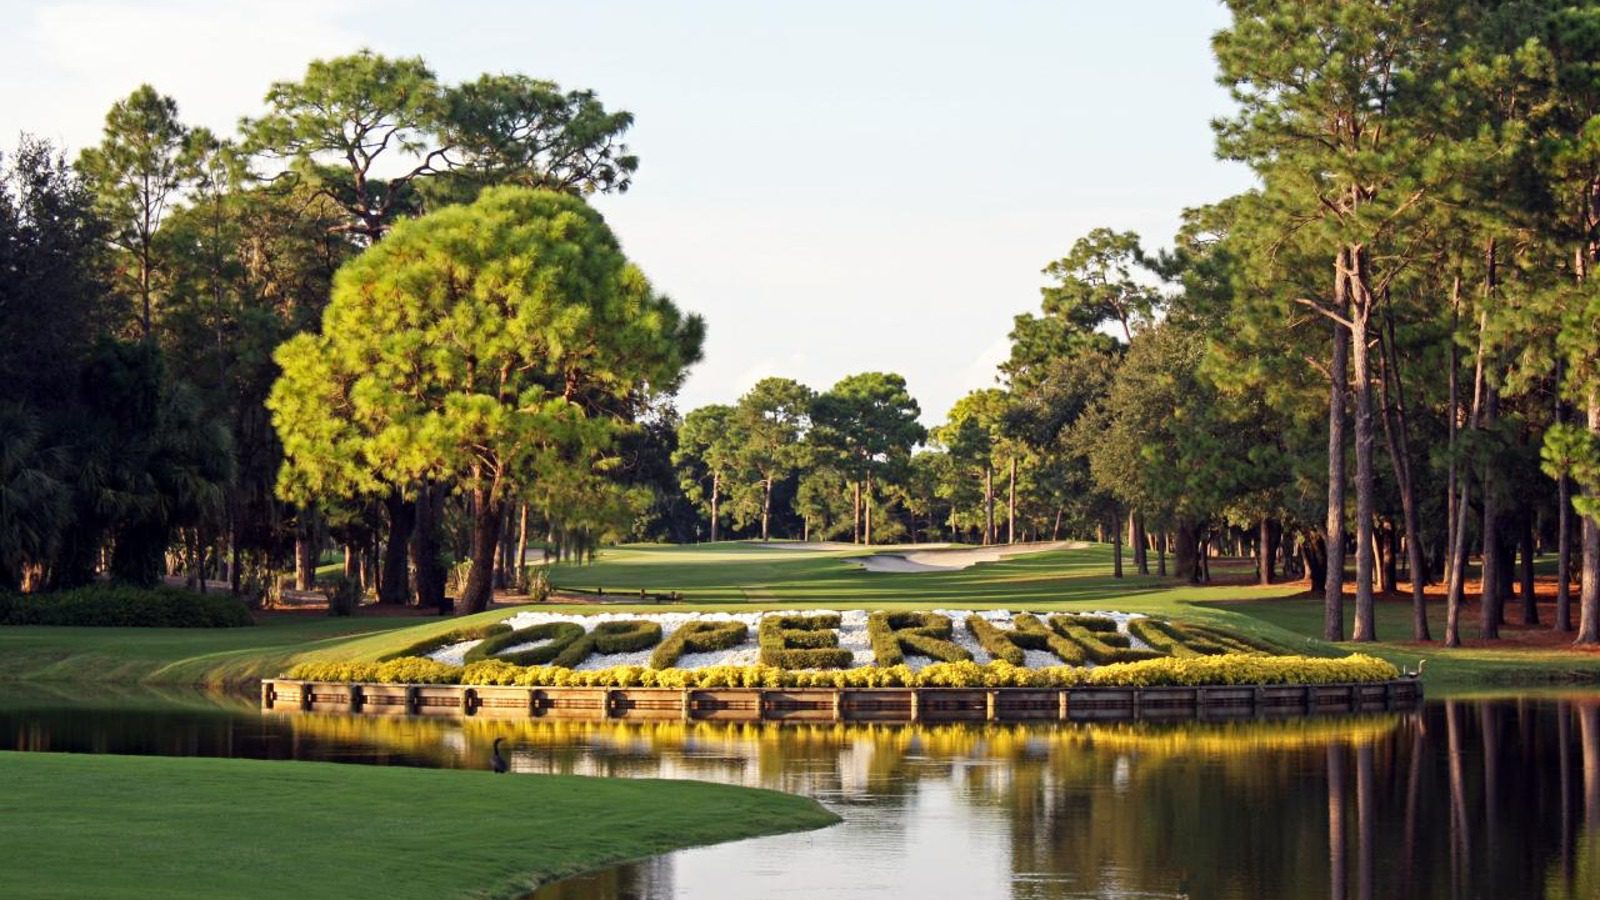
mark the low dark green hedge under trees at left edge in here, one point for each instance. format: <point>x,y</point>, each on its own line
<point>122,606</point>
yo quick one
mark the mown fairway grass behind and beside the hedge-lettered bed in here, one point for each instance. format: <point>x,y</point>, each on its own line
<point>751,577</point>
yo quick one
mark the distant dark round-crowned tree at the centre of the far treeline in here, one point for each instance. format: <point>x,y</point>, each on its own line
<point>870,424</point>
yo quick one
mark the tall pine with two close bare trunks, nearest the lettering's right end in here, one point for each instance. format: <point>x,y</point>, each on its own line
<point>1330,97</point>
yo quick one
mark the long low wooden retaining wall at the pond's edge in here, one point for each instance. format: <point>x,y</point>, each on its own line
<point>839,705</point>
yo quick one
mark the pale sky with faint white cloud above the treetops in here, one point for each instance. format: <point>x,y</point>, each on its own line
<point>836,187</point>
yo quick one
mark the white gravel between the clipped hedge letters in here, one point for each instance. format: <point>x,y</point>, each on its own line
<point>852,637</point>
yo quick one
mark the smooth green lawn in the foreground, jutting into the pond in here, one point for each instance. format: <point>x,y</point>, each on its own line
<point>87,826</point>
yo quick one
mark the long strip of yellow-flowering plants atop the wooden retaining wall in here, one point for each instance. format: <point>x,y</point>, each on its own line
<point>1167,672</point>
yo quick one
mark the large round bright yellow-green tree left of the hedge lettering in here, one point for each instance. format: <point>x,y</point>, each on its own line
<point>478,347</point>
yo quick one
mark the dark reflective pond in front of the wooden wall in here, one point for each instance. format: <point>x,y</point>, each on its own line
<point>1484,798</point>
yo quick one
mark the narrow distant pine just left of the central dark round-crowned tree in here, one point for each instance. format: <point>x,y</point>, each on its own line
<point>772,420</point>
